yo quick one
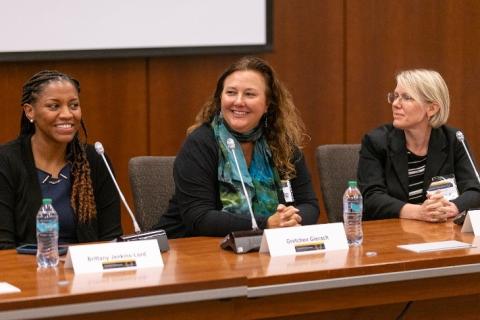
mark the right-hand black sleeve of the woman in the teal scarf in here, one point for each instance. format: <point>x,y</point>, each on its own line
<point>305,198</point>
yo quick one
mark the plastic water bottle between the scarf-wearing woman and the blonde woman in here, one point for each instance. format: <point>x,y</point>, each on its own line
<point>352,214</point>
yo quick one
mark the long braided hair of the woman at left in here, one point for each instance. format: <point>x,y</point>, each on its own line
<point>82,198</point>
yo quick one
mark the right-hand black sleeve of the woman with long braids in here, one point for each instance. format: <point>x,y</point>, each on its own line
<point>107,200</point>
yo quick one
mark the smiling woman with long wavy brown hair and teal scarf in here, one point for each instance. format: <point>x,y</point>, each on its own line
<point>251,108</point>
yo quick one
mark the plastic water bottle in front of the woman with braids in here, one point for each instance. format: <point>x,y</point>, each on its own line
<point>47,235</point>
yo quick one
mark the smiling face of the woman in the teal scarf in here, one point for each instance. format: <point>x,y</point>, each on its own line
<point>243,100</point>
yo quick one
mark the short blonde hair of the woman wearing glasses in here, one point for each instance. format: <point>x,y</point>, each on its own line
<point>428,86</point>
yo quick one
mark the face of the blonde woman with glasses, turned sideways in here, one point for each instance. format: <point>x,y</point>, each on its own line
<point>409,113</point>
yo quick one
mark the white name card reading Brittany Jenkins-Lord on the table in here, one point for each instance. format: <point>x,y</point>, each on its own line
<point>114,256</point>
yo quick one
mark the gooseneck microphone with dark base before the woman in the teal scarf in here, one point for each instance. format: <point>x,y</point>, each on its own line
<point>242,241</point>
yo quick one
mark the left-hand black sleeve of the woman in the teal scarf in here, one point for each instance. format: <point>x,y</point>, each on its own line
<point>196,184</point>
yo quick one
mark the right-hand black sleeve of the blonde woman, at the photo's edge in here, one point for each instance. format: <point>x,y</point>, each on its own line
<point>468,186</point>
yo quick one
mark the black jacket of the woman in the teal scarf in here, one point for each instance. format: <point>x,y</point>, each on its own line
<point>196,209</point>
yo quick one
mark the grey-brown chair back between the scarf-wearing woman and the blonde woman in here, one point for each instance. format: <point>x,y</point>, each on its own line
<point>336,164</point>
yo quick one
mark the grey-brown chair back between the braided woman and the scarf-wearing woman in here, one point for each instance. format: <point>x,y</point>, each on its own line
<point>151,179</point>
